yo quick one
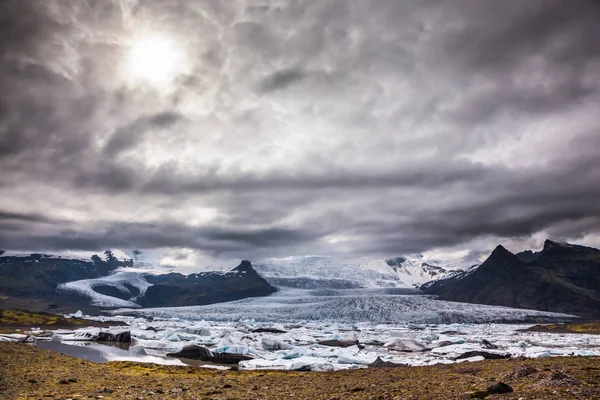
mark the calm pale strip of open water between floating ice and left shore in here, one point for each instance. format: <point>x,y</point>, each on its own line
<point>112,351</point>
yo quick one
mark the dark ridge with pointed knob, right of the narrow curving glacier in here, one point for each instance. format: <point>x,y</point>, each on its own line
<point>205,288</point>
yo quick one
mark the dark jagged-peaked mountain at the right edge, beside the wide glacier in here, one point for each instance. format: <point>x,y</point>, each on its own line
<point>561,278</point>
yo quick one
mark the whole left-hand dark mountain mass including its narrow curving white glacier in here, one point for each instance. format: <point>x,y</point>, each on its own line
<point>39,281</point>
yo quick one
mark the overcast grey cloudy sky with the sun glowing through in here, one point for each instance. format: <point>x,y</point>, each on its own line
<point>254,128</point>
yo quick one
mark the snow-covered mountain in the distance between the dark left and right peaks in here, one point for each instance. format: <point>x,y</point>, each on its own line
<point>315,272</point>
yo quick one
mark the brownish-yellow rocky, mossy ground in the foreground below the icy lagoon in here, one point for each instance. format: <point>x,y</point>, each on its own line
<point>27,372</point>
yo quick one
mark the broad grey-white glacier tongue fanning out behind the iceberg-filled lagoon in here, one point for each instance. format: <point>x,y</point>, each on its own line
<point>349,306</point>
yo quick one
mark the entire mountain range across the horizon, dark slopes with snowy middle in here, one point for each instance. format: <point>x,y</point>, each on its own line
<point>562,278</point>
